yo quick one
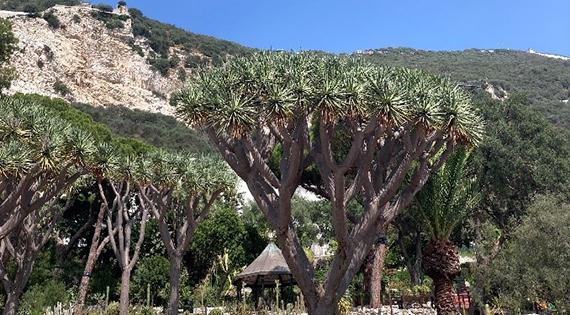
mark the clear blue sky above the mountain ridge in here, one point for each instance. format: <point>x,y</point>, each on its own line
<point>349,25</point>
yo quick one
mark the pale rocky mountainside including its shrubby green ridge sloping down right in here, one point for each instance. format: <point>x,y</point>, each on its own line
<point>94,56</point>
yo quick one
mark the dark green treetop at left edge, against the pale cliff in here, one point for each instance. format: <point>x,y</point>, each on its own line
<point>8,44</point>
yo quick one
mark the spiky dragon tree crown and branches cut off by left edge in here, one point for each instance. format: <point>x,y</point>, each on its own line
<point>41,156</point>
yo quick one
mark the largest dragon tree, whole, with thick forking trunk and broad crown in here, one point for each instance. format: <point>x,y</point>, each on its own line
<point>400,120</point>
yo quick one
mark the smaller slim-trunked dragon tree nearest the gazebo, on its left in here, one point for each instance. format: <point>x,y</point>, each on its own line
<point>180,190</point>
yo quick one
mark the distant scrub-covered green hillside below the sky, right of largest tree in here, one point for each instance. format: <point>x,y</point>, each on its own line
<point>546,81</point>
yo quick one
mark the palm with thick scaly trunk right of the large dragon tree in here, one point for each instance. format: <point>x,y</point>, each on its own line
<point>445,201</point>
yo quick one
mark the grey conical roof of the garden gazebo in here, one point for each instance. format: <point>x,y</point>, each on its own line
<point>268,267</point>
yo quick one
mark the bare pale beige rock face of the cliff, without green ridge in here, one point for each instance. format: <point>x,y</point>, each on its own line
<point>84,61</point>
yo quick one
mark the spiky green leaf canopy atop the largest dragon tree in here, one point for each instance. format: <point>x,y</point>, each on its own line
<point>274,87</point>
